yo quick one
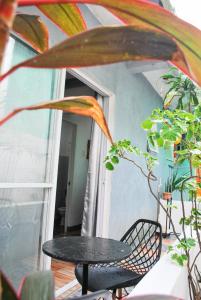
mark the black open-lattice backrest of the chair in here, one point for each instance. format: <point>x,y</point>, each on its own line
<point>145,239</point>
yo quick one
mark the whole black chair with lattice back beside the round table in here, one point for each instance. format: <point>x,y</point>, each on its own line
<point>145,239</point>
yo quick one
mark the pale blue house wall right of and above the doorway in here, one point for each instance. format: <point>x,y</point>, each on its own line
<point>134,100</point>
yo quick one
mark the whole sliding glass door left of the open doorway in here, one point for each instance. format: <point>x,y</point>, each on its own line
<point>26,153</point>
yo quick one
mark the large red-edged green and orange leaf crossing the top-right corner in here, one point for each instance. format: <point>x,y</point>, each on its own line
<point>149,15</point>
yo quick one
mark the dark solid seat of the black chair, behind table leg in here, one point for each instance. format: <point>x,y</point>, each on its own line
<point>108,278</point>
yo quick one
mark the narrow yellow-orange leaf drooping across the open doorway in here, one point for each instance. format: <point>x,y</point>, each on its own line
<point>80,105</point>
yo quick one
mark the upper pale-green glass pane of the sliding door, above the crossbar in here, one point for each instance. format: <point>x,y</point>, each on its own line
<point>25,138</point>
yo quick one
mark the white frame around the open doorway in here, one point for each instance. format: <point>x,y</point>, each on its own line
<point>104,176</point>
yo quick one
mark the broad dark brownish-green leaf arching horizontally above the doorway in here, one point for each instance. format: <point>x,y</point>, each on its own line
<point>105,45</point>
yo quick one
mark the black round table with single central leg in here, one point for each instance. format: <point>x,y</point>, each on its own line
<point>86,250</point>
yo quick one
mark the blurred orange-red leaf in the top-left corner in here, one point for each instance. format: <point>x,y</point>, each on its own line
<point>7,14</point>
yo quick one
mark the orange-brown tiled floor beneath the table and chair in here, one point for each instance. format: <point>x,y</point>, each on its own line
<point>64,273</point>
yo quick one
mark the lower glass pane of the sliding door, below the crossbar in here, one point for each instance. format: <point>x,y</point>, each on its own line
<point>22,212</point>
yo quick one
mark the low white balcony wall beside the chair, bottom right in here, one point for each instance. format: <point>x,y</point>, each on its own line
<point>166,278</point>
